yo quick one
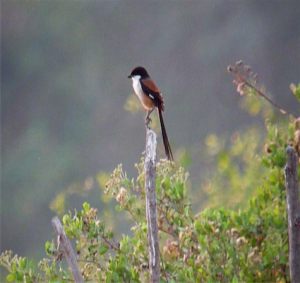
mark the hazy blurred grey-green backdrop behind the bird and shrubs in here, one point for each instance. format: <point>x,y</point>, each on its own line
<point>64,68</point>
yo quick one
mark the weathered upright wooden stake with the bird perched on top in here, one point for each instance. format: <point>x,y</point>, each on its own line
<point>151,213</point>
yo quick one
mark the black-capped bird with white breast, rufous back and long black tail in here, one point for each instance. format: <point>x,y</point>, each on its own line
<point>150,97</point>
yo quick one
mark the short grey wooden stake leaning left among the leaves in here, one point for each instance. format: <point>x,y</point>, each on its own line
<point>67,250</point>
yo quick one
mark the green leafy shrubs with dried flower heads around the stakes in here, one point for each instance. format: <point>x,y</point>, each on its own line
<point>218,244</point>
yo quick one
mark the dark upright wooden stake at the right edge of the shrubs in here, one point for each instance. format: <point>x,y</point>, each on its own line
<point>293,210</point>
